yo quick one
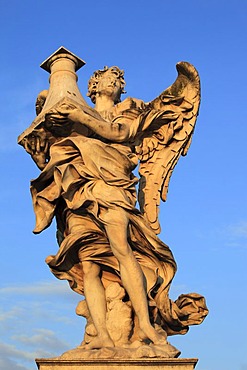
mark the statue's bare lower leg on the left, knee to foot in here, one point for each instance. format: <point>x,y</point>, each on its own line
<point>95,298</point>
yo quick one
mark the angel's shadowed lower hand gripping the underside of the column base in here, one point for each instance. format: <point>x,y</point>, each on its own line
<point>37,146</point>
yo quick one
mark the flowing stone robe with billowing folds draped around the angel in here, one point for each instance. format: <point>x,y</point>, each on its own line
<point>84,178</point>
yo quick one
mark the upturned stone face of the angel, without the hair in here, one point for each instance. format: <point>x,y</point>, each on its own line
<point>109,84</point>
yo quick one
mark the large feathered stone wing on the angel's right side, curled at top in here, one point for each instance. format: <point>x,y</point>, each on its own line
<point>167,132</point>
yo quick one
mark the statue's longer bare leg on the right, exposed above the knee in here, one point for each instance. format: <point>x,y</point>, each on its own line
<point>116,225</point>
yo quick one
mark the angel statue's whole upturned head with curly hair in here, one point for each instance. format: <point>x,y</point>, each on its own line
<point>104,80</point>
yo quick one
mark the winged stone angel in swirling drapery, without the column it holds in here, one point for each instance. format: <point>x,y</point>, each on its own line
<point>109,250</point>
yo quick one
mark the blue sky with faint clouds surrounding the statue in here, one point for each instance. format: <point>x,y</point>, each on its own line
<point>204,220</point>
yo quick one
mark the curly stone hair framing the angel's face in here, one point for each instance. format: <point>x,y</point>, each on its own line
<point>93,82</point>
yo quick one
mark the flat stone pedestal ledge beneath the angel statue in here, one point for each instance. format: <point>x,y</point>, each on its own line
<point>147,364</point>
